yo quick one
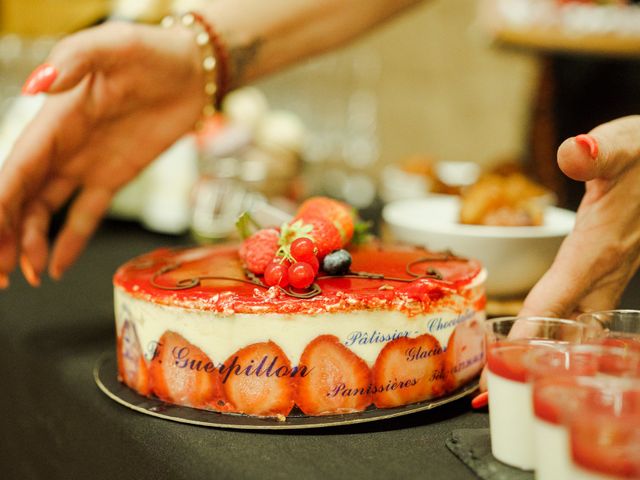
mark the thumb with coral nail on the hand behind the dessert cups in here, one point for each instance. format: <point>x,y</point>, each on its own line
<point>606,152</point>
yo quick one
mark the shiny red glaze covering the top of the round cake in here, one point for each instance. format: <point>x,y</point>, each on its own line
<point>338,294</point>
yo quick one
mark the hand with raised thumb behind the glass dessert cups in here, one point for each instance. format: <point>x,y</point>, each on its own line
<point>602,253</point>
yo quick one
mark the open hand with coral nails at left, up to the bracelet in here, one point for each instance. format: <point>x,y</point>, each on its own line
<point>120,94</point>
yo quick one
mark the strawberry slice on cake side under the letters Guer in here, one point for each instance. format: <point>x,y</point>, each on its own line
<point>181,373</point>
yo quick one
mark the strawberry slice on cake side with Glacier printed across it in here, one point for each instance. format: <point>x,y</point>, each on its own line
<point>408,370</point>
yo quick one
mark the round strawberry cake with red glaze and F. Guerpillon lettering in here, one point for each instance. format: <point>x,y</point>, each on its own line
<point>403,325</point>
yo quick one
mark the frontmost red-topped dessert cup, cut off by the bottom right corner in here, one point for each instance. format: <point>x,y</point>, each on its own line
<point>604,432</point>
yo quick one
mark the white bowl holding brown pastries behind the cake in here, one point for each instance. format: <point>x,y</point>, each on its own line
<point>515,257</point>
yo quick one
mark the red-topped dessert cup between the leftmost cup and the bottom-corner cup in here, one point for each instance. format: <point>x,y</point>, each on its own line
<point>563,380</point>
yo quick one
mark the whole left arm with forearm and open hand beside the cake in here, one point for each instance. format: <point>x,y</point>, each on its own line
<point>120,94</point>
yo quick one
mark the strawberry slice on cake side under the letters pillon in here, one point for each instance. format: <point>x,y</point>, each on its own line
<point>258,380</point>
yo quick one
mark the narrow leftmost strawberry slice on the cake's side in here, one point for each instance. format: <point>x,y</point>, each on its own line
<point>132,367</point>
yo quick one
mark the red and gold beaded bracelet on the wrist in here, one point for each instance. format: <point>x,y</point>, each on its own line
<point>215,58</point>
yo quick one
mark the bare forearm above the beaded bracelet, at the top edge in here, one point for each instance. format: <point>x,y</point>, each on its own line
<point>265,36</point>
